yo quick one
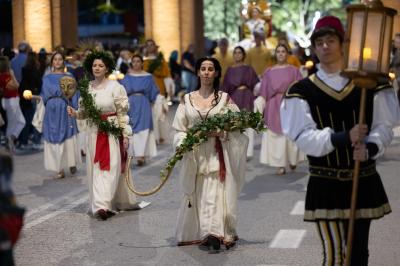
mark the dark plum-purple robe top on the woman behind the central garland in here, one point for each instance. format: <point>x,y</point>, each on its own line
<point>236,77</point>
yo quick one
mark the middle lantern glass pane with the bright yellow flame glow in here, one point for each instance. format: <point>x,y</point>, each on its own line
<point>372,49</point>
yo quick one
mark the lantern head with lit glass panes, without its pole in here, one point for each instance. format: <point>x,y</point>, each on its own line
<point>369,35</point>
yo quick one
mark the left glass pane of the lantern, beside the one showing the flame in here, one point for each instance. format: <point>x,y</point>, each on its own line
<point>355,42</point>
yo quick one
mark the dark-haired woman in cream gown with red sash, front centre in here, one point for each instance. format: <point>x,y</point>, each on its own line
<point>212,174</point>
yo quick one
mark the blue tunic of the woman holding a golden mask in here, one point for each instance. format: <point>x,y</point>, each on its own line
<point>57,125</point>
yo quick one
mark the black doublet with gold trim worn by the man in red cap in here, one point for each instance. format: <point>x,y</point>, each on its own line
<point>330,184</point>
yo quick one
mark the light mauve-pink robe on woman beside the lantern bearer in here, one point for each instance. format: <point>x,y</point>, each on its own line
<point>274,83</point>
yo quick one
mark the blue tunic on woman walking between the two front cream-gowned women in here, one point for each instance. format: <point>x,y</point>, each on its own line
<point>142,91</point>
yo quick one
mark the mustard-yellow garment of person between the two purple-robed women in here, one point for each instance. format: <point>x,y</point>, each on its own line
<point>259,58</point>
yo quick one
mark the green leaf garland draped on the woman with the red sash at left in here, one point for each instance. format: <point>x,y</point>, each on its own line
<point>93,113</point>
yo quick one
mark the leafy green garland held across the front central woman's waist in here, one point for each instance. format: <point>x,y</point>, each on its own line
<point>198,134</point>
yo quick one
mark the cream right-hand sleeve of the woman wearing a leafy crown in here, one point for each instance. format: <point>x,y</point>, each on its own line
<point>122,106</point>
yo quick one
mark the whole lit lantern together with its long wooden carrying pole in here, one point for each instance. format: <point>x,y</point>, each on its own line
<point>366,61</point>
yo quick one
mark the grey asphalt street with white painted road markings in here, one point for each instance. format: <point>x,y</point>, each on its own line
<point>58,230</point>
